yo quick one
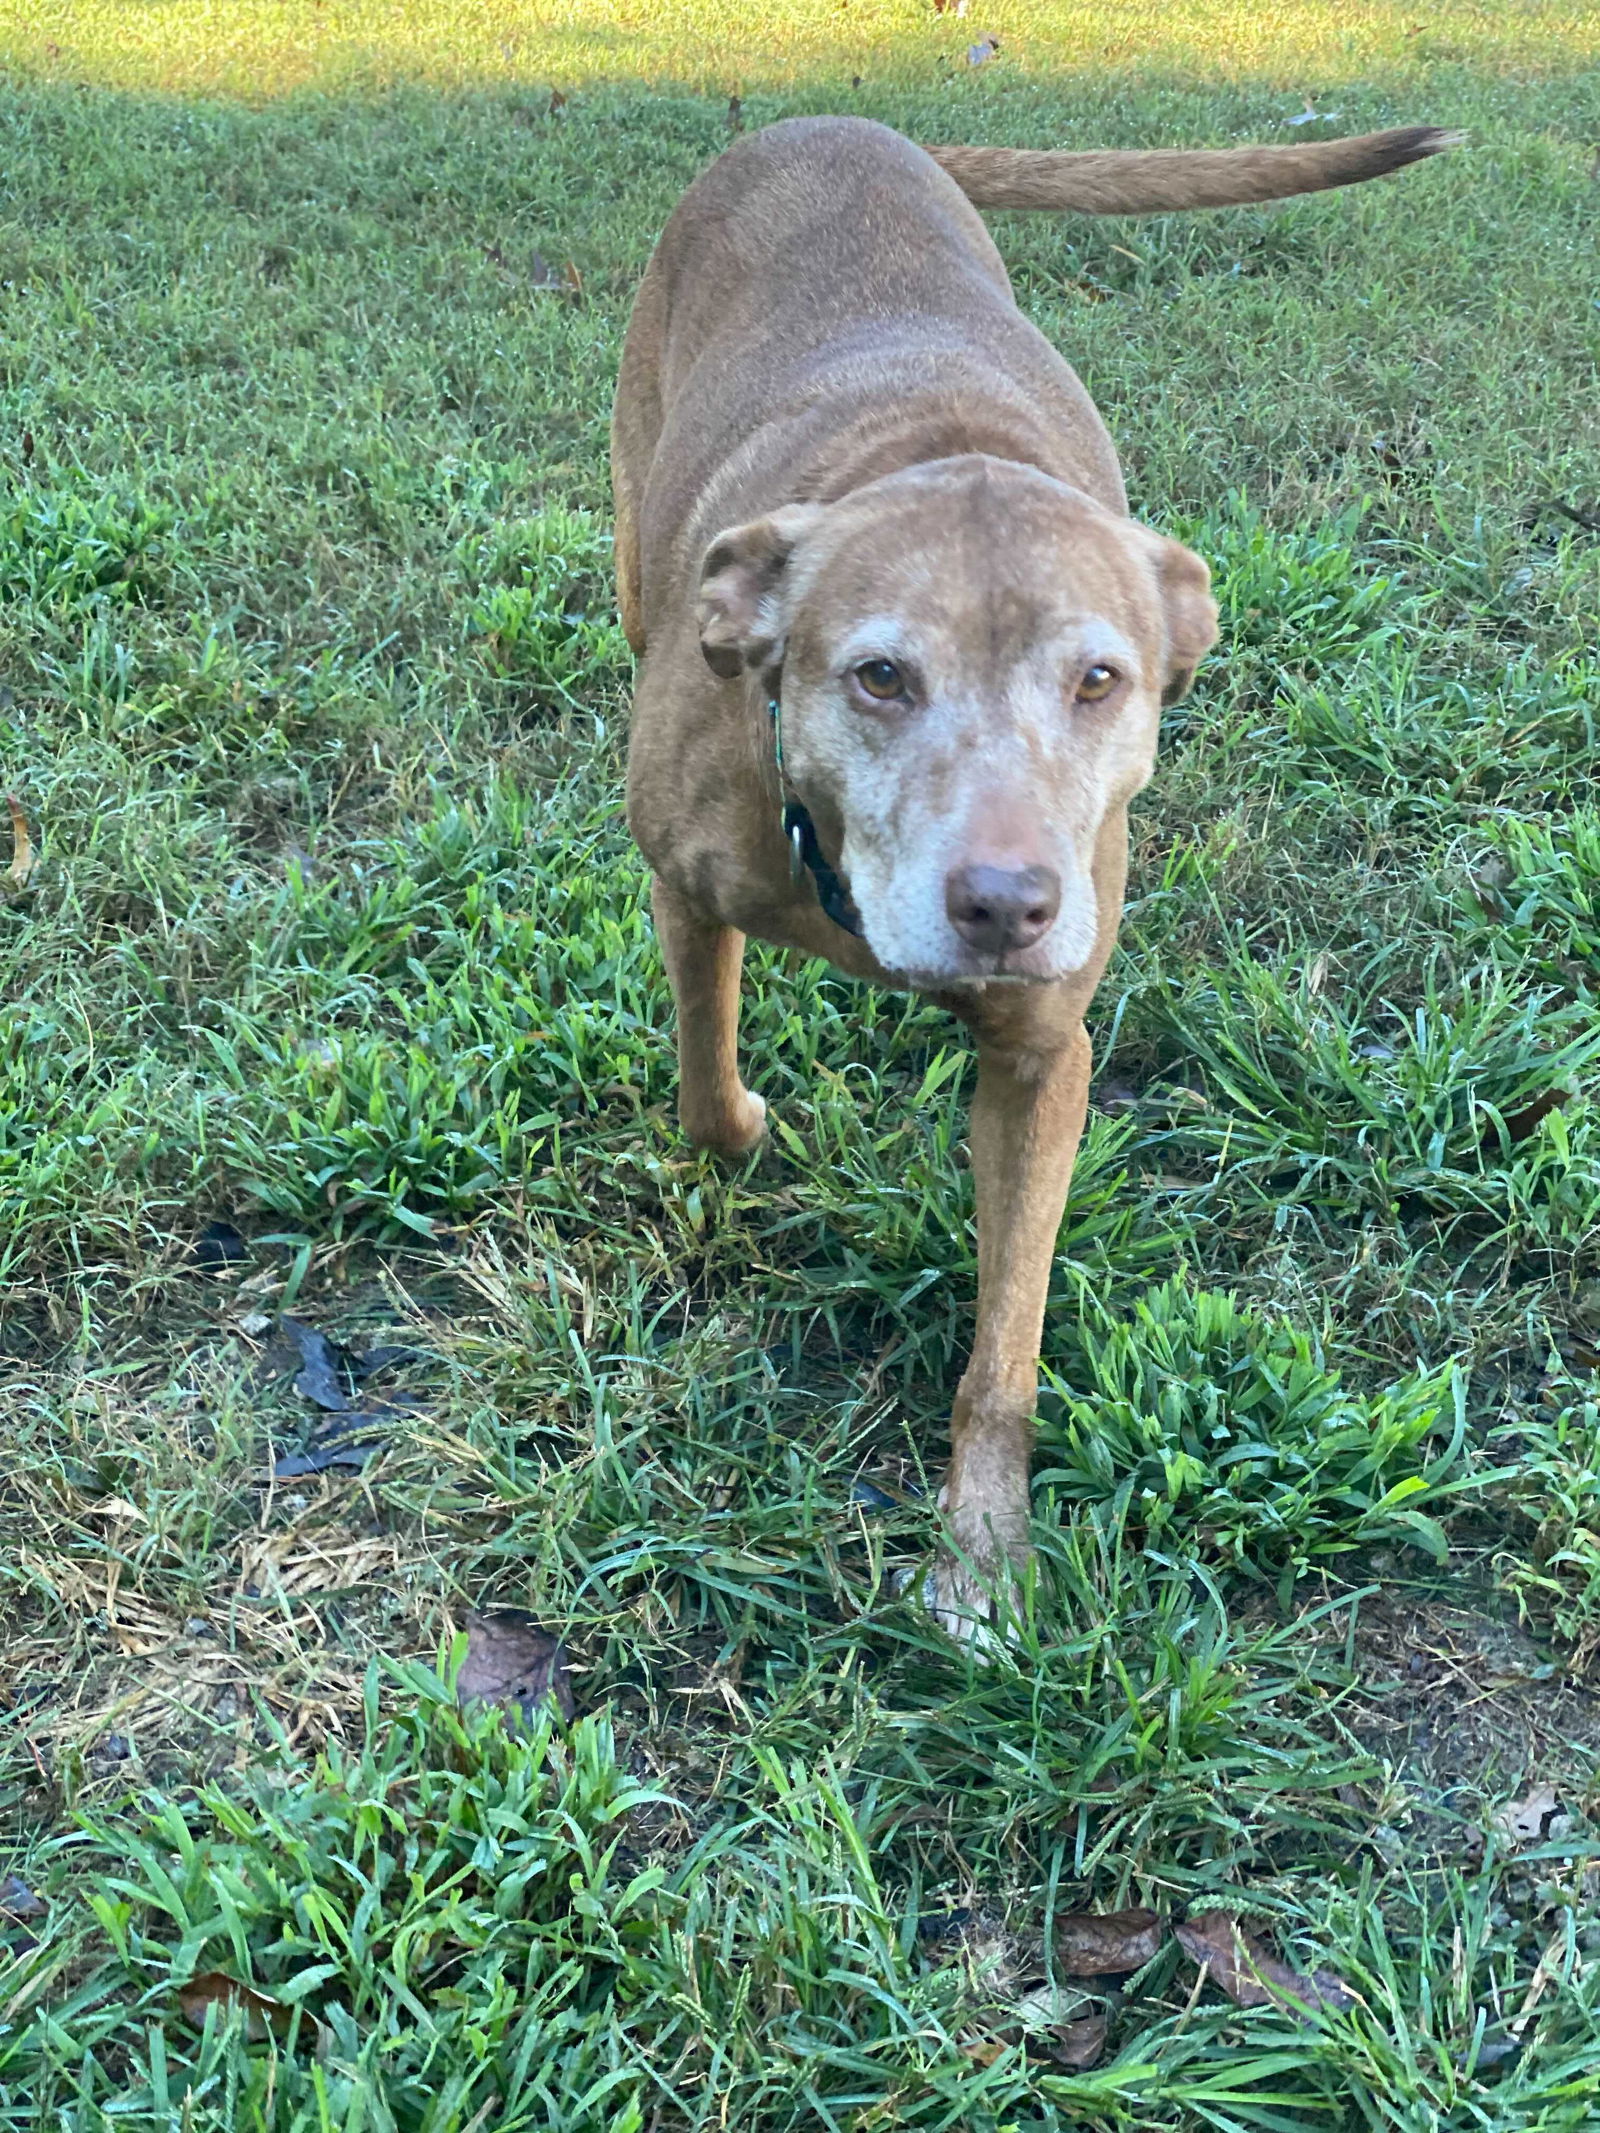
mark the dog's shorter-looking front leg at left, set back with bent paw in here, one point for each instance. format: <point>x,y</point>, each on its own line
<point>703,961</point>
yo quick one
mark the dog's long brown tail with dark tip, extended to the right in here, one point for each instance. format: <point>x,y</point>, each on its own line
<point>1145,182</point>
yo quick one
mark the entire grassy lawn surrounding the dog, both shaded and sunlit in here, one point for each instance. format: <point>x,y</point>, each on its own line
<point>313,699</point>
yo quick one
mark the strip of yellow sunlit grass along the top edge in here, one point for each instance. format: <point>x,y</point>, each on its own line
<point>266,48</point>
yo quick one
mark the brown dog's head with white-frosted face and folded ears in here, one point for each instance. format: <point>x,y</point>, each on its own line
<point>974,669</point>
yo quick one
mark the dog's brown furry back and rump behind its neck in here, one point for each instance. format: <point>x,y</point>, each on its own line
<point>863,298</point>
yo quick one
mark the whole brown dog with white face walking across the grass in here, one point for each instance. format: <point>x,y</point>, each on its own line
<point>906,654</point>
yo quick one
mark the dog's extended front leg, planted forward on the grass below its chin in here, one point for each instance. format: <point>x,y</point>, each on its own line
<point>1027,1121</point>
